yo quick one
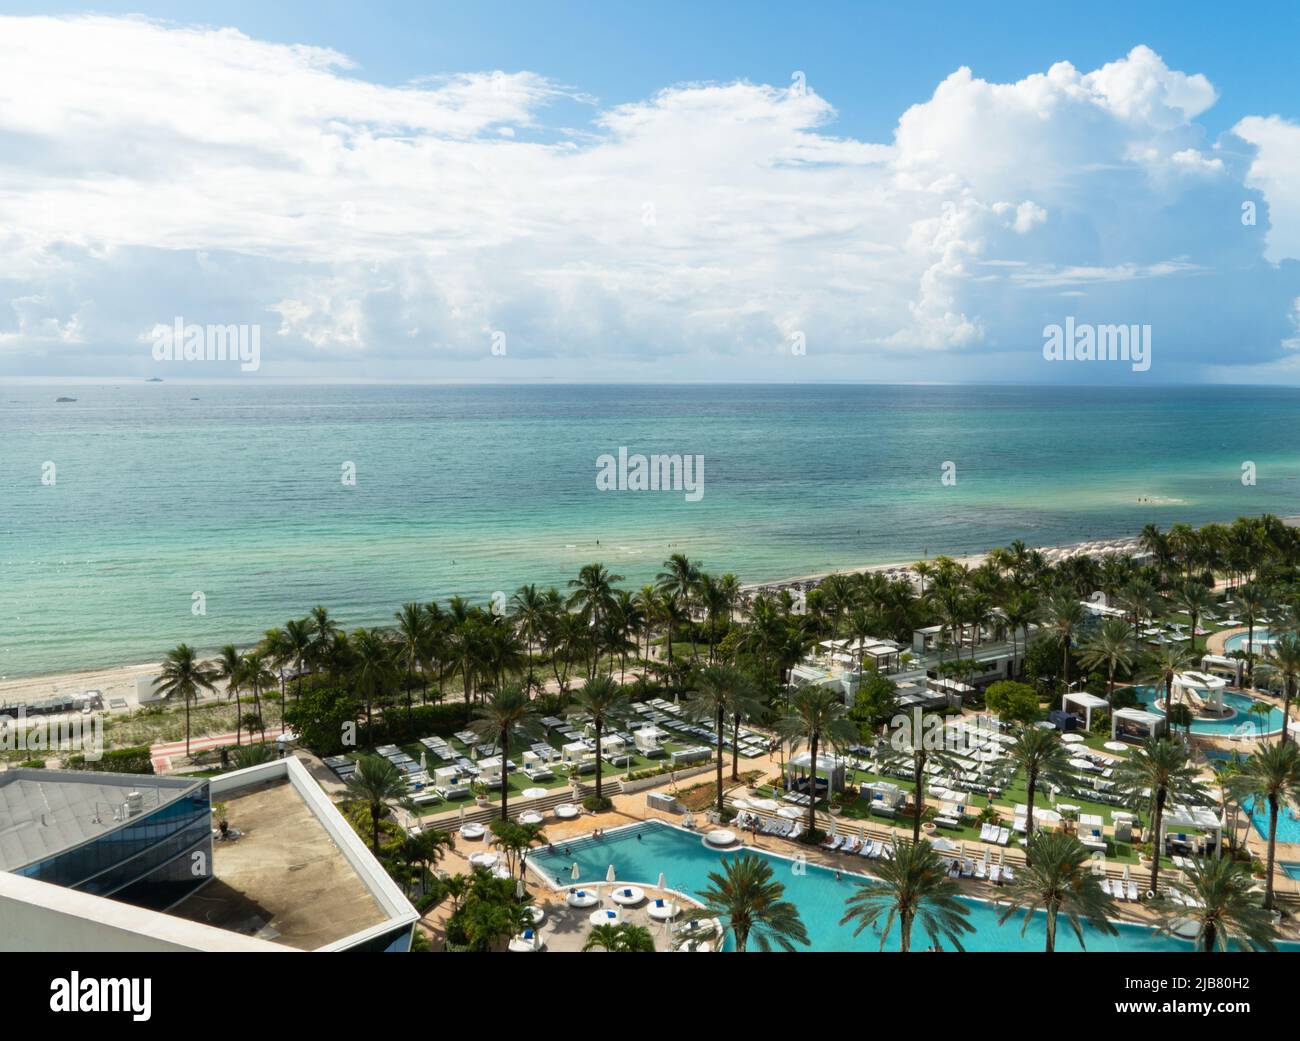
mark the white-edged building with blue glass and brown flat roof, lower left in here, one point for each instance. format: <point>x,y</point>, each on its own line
<point>132,864</point>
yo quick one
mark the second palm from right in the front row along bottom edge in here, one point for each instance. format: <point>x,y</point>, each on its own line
<point>1056,879</point>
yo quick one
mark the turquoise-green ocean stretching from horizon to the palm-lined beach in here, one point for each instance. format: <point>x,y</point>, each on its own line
<point>475,489</point>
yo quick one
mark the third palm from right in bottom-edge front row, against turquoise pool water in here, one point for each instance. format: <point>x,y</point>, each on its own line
<point>916,891</point>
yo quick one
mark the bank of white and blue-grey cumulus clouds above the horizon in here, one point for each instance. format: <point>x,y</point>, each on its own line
<point>150,171</point>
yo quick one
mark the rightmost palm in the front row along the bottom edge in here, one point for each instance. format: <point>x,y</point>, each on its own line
<point>1217,899</point>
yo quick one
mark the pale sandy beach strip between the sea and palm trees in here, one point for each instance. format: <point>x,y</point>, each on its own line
<point>119,682</point>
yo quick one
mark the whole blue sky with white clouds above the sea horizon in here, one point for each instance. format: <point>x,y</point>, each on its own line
<point>651,193</point>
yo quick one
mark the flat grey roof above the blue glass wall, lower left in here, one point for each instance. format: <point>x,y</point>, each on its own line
<point>47,812</point>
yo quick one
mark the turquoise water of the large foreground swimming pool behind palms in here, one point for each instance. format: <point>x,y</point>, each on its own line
<point>640,853</point>
